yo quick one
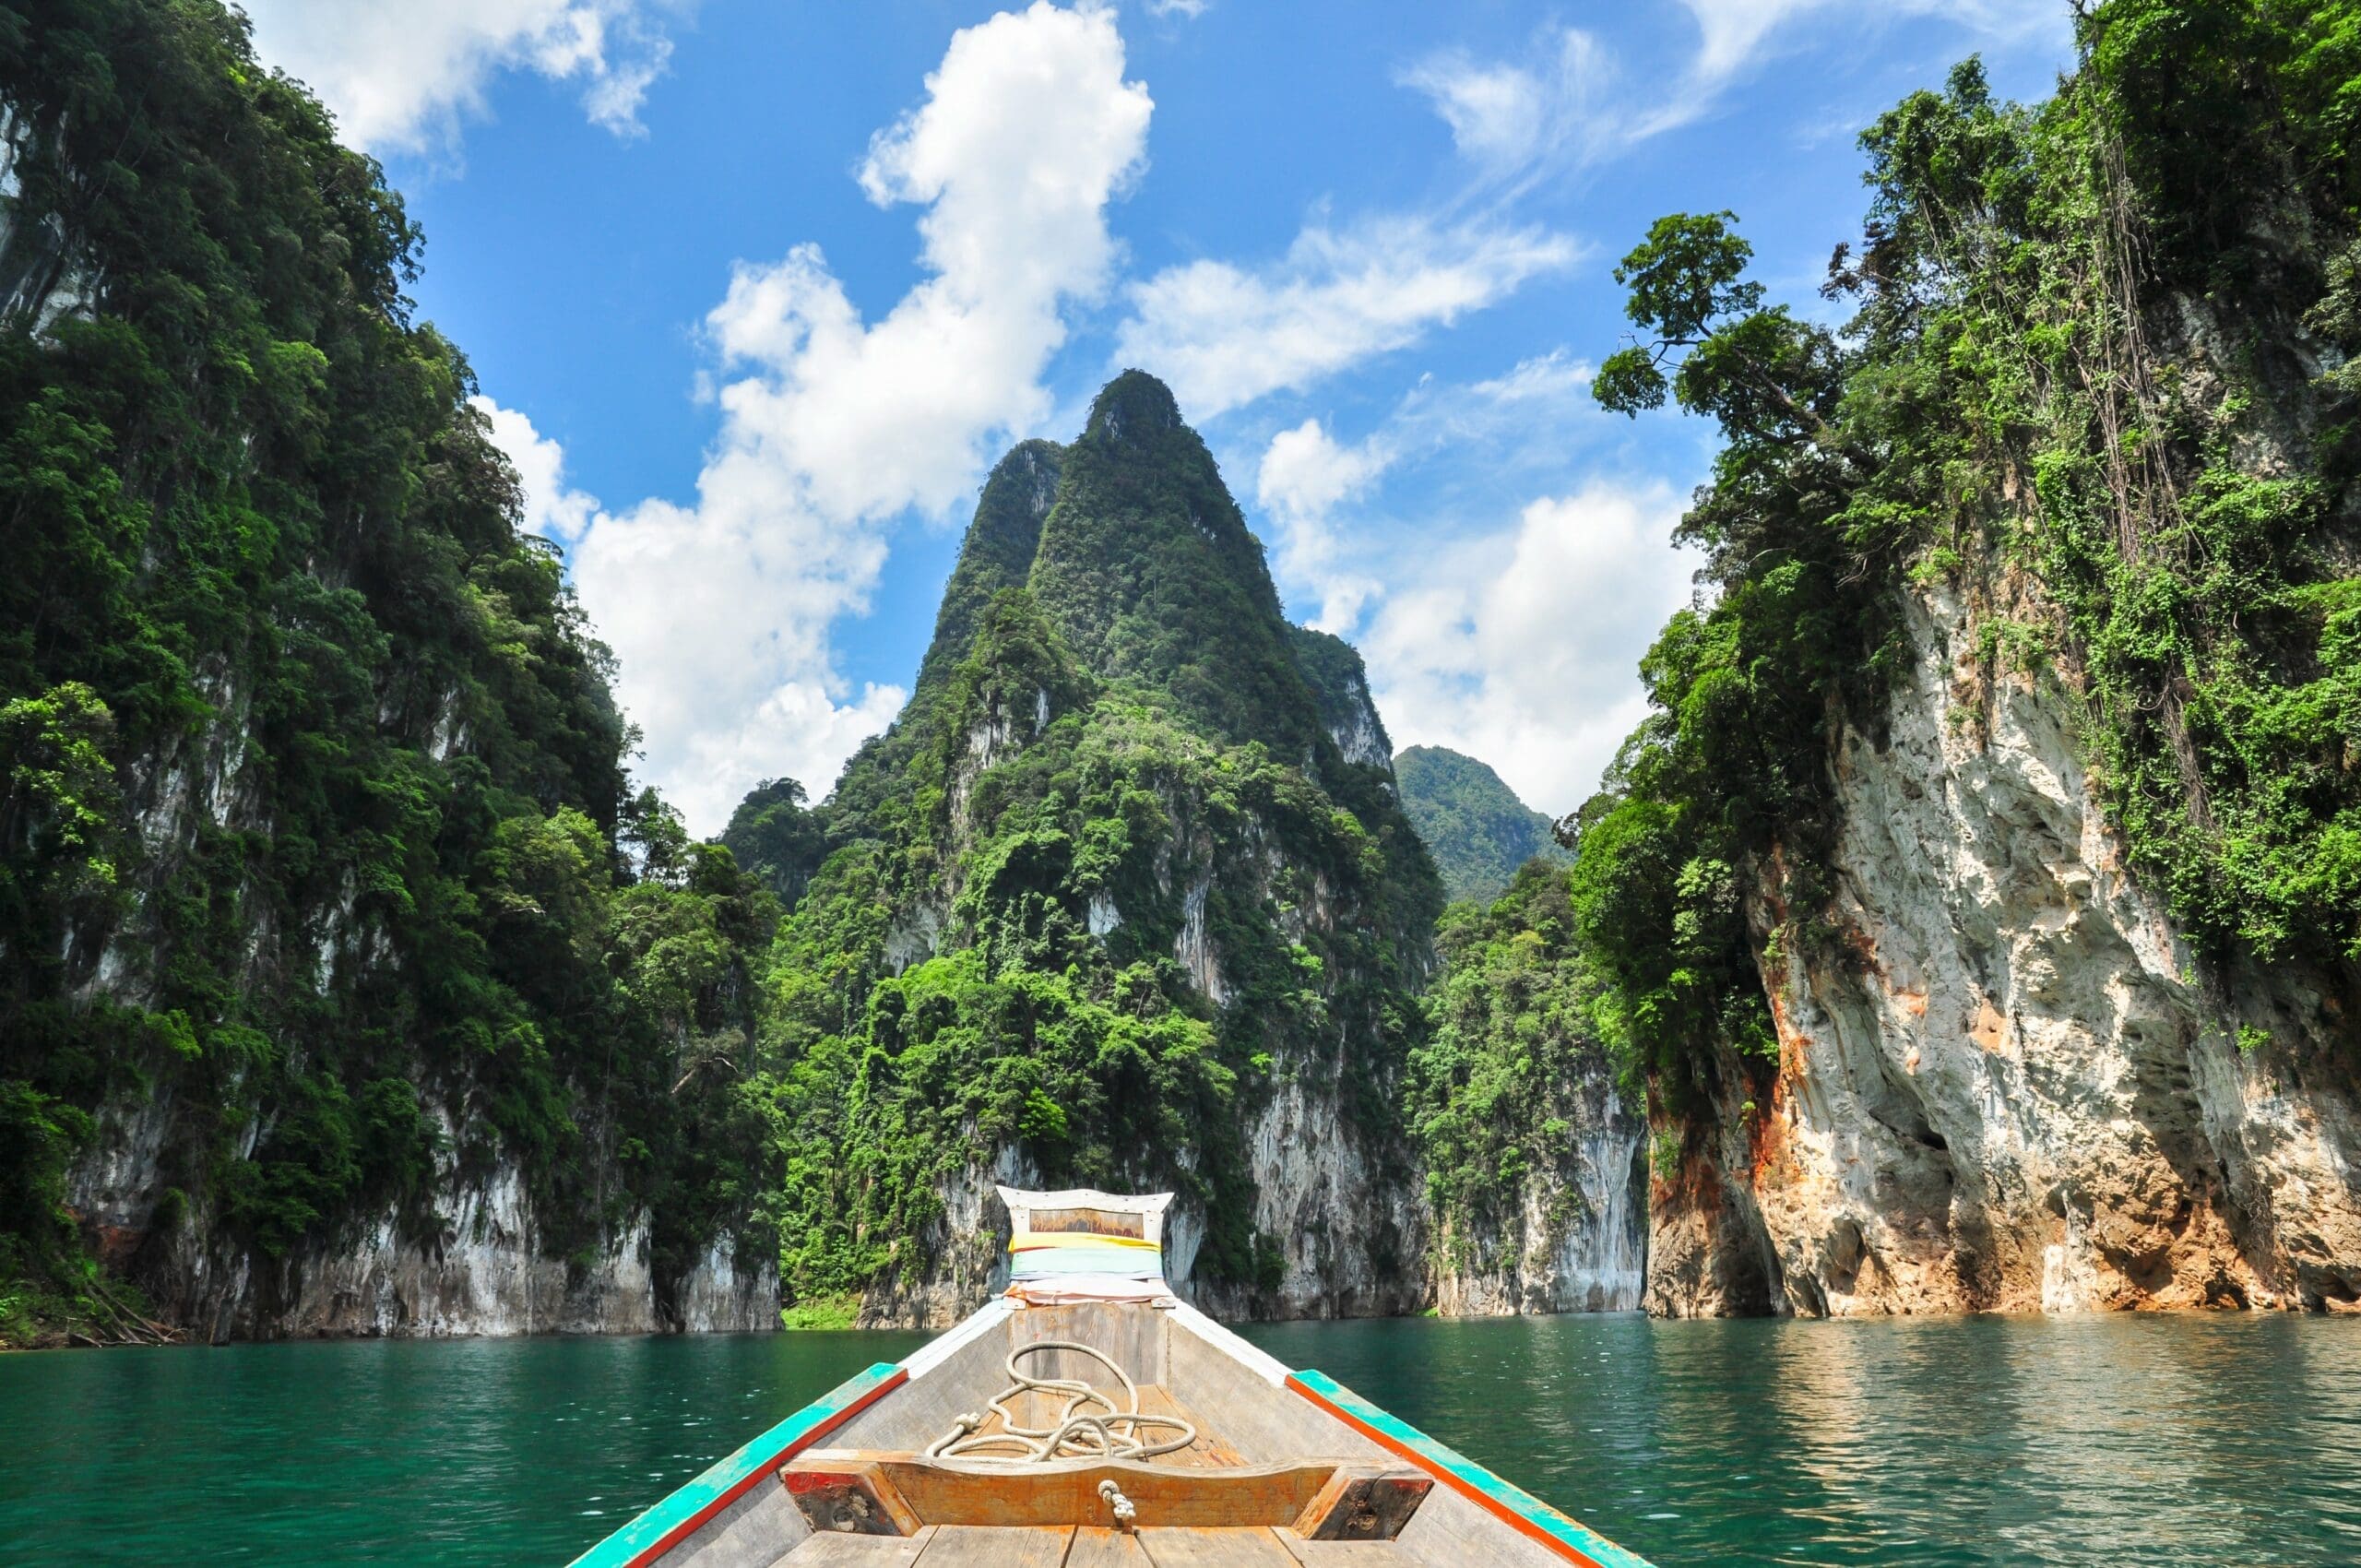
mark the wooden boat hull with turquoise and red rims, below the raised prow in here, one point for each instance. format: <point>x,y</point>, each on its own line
<point>1290,1470</point>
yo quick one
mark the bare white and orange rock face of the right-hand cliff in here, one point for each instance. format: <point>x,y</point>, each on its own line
<point>2015,1092</point>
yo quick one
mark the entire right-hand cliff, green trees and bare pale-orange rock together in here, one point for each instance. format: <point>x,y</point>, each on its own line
<point>1982,899</point>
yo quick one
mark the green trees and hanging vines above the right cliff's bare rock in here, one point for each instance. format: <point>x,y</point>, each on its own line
<point>2098,386</point>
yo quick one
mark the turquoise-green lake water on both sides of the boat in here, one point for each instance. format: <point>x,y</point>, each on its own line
<point>1984,1442</point>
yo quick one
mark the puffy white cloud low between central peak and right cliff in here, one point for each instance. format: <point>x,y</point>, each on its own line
<point>1524,655</point>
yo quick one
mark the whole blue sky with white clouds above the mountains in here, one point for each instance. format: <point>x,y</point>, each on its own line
<point>757,292</point>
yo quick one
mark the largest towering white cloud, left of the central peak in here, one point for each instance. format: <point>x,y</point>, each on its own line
<point>832,424</point>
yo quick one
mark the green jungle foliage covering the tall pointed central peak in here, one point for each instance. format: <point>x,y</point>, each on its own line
<point>1108,726</point>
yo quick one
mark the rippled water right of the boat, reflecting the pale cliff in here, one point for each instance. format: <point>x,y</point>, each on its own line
<point>1937,1444</point>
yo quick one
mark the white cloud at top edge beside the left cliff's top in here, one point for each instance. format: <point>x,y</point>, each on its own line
<point>405,77</point>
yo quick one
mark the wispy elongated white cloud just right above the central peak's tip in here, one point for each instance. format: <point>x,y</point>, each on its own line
<point>1224,337</point>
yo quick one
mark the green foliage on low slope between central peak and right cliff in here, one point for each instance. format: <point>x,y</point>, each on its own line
<point>1498,1087</point>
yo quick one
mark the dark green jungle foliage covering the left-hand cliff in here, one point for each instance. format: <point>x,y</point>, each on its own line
<point>315,839</point>
